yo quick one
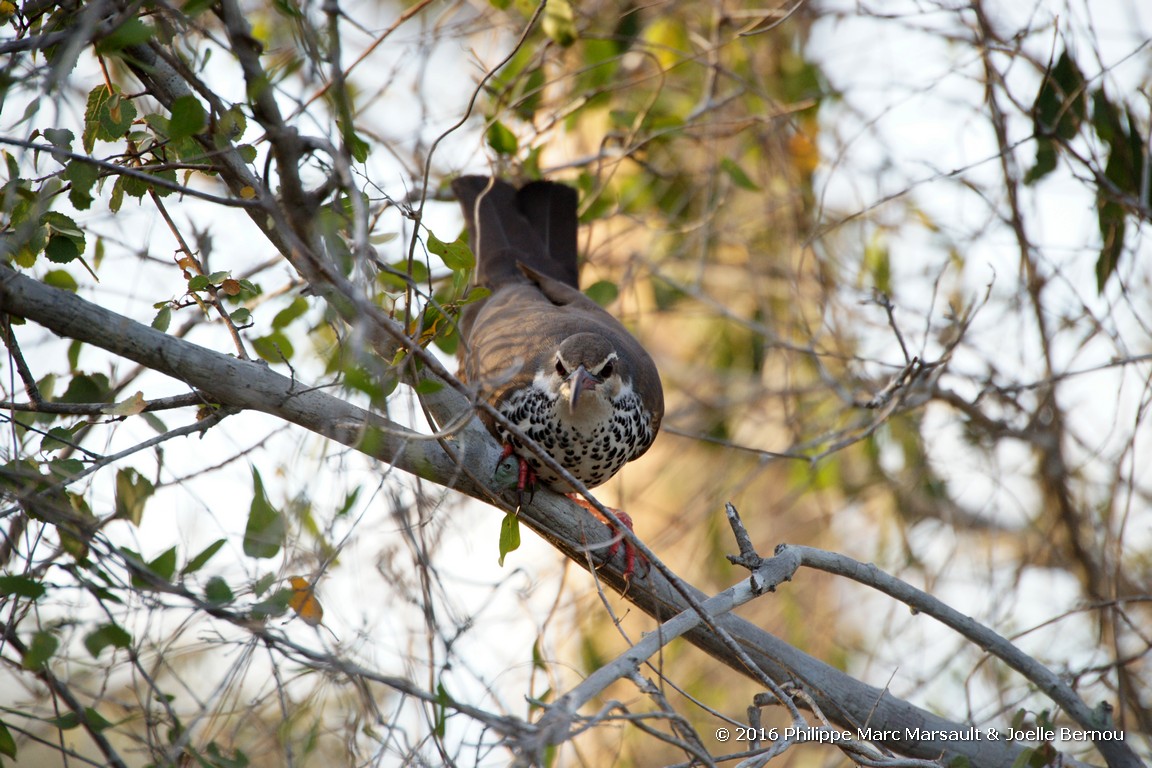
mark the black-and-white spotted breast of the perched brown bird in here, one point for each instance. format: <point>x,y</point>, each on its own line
<point>592,452</point>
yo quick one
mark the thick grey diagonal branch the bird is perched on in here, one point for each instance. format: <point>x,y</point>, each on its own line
<point>240,384</point>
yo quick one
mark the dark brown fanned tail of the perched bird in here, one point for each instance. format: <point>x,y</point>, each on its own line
<point>535,226</point>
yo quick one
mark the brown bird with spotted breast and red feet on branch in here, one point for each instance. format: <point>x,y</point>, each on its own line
<point>548,358</point>
